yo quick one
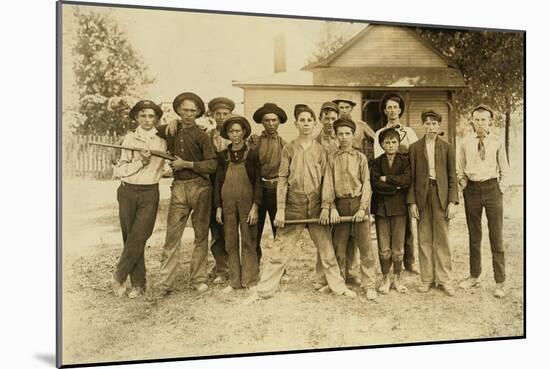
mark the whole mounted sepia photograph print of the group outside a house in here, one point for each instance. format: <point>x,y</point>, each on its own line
<point>239,184</point>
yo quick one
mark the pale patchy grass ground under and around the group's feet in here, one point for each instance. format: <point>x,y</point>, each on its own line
<point>97,326</point>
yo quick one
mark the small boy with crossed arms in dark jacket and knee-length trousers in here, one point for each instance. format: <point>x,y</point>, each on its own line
<point>390,178</point>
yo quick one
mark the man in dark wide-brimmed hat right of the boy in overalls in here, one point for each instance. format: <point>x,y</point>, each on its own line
<point>269,145</point>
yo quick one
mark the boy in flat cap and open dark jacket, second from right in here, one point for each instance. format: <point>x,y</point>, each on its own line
<point>432,198</point>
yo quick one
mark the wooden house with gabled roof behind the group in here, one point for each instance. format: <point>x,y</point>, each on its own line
<point>379,59</point>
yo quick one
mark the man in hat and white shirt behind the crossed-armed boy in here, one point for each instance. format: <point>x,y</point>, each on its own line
<point>392,106</point>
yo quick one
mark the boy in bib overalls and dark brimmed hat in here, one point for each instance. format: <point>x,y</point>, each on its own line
<point>237,196</point>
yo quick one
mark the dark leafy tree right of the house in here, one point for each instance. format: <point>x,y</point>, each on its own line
<point>492,64</point>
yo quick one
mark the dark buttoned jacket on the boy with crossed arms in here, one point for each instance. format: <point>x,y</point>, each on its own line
<point>389,198</point>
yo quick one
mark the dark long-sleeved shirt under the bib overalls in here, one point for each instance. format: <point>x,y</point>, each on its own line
<point>252,165</point>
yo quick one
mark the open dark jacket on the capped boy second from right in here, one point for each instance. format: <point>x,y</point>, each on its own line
<point>445,173</point>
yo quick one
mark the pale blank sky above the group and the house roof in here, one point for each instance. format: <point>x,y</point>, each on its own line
<point>204,53</point>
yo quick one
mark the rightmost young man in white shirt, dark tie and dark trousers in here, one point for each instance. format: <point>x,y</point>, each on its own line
<point>483,175</point>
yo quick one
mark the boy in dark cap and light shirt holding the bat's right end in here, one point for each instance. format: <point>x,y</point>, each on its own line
<point>346,187</point>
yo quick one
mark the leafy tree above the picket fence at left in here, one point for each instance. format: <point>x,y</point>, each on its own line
<point>109,74</point>
